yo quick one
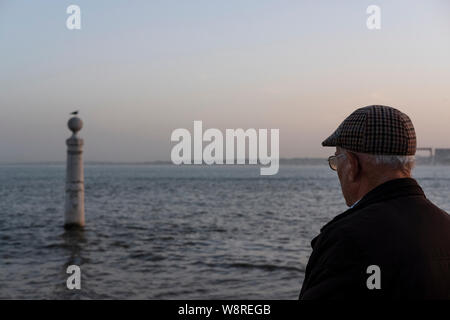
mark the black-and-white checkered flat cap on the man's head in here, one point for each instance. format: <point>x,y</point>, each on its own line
<point>375,130</point>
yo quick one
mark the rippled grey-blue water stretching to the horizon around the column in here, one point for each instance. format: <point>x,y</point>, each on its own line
<point>166,232</point>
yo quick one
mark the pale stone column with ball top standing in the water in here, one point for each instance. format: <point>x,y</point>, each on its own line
<point>74,207</point>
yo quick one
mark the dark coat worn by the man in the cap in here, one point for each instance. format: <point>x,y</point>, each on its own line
<point>395,227</point>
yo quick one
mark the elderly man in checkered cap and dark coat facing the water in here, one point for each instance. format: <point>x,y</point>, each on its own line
<point>392,243</point>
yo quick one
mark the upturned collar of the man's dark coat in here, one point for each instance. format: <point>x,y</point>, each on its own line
<point>388,190</point>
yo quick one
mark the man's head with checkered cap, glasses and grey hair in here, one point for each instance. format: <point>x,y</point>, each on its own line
<point>374,144</point>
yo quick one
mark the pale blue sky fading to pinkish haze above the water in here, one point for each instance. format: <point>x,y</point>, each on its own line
<point>137,70</point>
